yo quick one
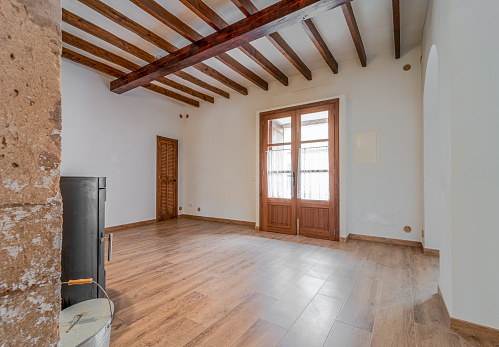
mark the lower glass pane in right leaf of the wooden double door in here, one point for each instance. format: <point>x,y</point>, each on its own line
<point>313,173</point>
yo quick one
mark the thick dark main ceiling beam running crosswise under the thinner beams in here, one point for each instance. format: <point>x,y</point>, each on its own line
<point>262,23</point>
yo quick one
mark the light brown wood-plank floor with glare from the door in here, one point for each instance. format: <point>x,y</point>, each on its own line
<point>195,283</point>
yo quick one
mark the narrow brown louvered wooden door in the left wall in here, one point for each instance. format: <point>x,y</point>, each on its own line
<point>166,184</point>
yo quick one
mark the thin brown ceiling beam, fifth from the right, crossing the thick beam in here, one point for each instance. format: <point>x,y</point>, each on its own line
<point>216,22</point>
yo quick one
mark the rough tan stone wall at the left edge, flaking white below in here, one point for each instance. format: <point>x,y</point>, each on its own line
<point>30,152</point>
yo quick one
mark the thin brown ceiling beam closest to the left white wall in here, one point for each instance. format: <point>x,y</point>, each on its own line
<point>111,71</point>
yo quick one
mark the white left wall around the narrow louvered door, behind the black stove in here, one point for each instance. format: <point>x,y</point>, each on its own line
<point>105,134</point>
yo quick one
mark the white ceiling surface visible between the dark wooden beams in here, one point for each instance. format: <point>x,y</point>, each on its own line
<point>374,18</point>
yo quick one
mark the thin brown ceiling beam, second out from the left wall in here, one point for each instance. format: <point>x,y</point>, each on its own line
<point>88,47</point>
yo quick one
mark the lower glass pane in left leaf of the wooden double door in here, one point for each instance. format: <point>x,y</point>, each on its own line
<point>279,173</point>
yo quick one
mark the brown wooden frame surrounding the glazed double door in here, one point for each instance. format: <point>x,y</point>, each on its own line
<point>335,165</point>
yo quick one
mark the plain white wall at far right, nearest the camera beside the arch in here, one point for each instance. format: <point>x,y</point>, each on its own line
<point>468,89</point>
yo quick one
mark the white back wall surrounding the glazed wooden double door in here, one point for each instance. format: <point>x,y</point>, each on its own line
<point>220,170</point>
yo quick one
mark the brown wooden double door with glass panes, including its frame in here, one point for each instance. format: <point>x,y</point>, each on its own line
<point>299,160</point>
